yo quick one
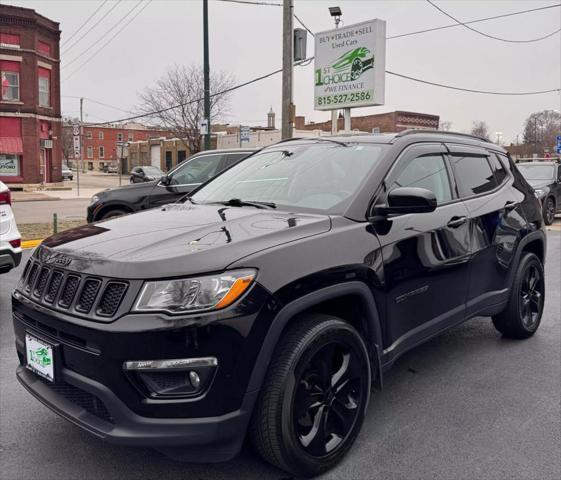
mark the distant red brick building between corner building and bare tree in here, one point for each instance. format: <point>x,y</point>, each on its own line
<point>103,145</point>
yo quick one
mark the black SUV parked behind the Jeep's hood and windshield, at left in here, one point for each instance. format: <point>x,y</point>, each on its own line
<point>188,175</point>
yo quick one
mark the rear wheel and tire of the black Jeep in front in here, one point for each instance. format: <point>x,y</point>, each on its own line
<point>522,315</point>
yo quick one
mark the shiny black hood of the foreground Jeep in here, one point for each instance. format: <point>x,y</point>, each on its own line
<point>178,239</point>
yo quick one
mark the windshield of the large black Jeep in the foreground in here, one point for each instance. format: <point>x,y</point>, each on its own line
<point>316,176</point>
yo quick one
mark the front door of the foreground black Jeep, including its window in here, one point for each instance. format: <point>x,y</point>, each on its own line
<point>426,255</point>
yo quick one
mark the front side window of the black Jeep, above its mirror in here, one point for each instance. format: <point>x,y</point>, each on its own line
<point>427,171</point>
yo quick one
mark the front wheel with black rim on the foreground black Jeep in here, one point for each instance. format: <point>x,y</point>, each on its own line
<point>301,423</point>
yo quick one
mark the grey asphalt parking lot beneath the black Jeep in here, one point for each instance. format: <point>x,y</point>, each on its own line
<point>466,405</point>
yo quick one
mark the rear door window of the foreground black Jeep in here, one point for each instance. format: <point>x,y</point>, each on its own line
<point>473,175</point>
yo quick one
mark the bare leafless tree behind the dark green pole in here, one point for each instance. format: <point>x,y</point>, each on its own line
<point>182,87</point>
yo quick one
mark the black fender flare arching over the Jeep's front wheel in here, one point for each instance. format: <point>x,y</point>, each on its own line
<point>307,301</point>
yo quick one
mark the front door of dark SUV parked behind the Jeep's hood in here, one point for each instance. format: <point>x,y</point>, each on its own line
<point>185,178</point>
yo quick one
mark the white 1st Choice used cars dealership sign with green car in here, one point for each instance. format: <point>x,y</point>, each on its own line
<point>350,66</point>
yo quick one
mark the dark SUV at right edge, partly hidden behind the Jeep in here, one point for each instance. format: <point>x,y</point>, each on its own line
<point>545,178</point>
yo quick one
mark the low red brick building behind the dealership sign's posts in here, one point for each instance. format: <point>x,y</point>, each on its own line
<point>384,122</point>
